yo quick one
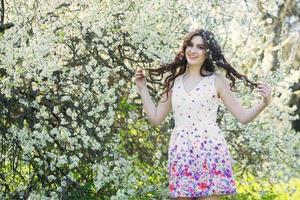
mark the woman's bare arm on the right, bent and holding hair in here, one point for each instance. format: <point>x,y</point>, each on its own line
<point>233,105</point>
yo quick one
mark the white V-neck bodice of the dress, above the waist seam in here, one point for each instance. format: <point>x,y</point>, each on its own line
<point>196,107</point>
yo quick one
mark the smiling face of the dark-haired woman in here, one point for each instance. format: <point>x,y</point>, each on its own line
<point>195,51</point>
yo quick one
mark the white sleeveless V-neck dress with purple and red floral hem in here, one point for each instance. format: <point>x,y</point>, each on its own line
<point>199,162</point>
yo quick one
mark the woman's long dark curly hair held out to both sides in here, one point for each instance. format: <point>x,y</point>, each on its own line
<point>214,58</point>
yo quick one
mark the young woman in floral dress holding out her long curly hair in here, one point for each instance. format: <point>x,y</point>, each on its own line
<point>199,163</point>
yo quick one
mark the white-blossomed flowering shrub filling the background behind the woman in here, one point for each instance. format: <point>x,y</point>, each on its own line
<point>71,121</point>
